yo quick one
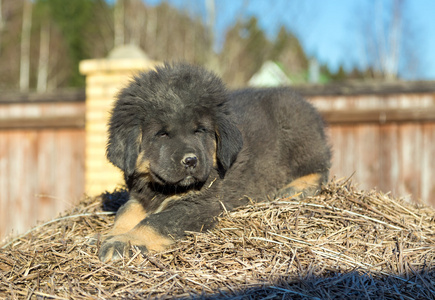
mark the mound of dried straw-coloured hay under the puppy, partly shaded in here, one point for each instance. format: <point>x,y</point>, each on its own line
<point>343,243</point>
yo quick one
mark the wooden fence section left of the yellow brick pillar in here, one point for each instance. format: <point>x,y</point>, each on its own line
<point>42,154</point>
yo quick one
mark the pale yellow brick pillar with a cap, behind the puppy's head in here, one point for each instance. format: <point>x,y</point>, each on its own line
<point>104,78</point>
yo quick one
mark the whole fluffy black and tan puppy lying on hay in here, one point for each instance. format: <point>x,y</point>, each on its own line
<point>190,149</point>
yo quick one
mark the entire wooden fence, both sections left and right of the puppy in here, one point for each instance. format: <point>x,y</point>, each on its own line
<point>382,135</point>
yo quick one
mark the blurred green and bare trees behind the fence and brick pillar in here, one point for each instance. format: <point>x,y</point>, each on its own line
<point>43,41</point>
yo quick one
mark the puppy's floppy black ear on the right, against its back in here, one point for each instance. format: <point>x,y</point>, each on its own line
<point>229,143</point>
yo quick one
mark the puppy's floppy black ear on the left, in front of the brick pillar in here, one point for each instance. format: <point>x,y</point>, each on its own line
<point>124,141</point>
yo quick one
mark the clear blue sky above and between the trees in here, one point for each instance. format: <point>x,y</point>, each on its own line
<point>330,30</point>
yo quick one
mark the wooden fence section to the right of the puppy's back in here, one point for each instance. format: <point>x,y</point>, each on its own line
<point>383,135</point>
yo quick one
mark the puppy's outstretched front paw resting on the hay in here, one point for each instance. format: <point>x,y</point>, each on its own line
<point>116,247</point>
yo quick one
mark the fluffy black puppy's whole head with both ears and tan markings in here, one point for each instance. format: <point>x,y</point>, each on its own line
<point>173,125</point>
